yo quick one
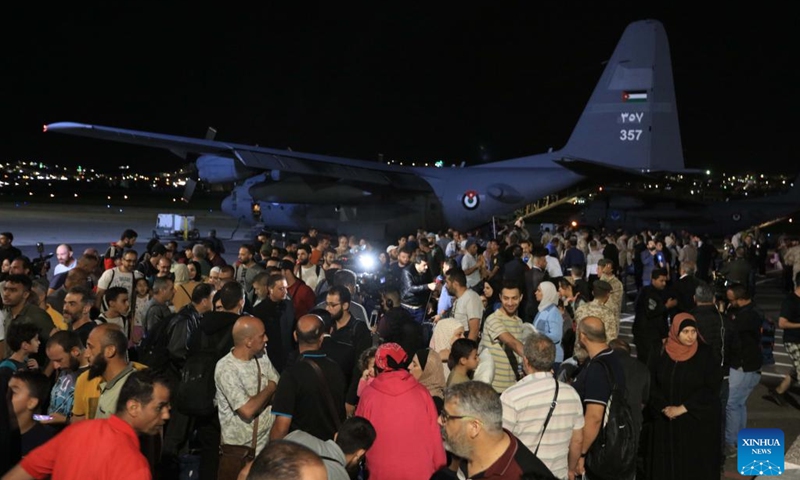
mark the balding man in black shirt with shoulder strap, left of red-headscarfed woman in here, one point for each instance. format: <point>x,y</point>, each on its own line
<point>301,401</point>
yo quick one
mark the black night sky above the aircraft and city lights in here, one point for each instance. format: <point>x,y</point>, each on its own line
<point>411,82</point>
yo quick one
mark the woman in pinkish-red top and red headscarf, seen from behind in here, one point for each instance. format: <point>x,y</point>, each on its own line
<point>408,443</point>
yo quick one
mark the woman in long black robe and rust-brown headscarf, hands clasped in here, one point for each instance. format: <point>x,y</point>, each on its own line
<point>684,402</point>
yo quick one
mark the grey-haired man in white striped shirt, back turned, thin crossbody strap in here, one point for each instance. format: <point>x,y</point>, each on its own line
<point>526,406</point>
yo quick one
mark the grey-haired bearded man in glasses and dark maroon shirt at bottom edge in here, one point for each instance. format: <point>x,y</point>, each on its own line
<point>472,428</point>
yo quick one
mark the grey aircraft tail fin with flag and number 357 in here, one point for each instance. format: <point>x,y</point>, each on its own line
<point>631,120</point>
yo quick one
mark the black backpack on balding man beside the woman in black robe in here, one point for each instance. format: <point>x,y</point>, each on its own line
<point>613,453</point>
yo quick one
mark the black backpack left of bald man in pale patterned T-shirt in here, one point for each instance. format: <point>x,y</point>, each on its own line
<point>196,389</point>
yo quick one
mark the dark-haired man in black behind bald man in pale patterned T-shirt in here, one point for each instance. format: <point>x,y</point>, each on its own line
<point>277,313</point>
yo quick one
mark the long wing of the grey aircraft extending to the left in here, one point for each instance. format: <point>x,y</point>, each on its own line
<point>257,158</point>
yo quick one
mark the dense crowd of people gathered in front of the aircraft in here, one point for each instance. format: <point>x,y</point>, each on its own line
<point>454,356</point>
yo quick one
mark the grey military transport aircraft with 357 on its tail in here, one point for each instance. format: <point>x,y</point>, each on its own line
<point>629,126</point>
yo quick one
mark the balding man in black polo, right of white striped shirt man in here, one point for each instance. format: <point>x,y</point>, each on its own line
<point>593,383</point>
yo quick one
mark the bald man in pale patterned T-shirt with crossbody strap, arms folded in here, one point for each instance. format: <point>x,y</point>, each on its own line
<point>246,382</point>
